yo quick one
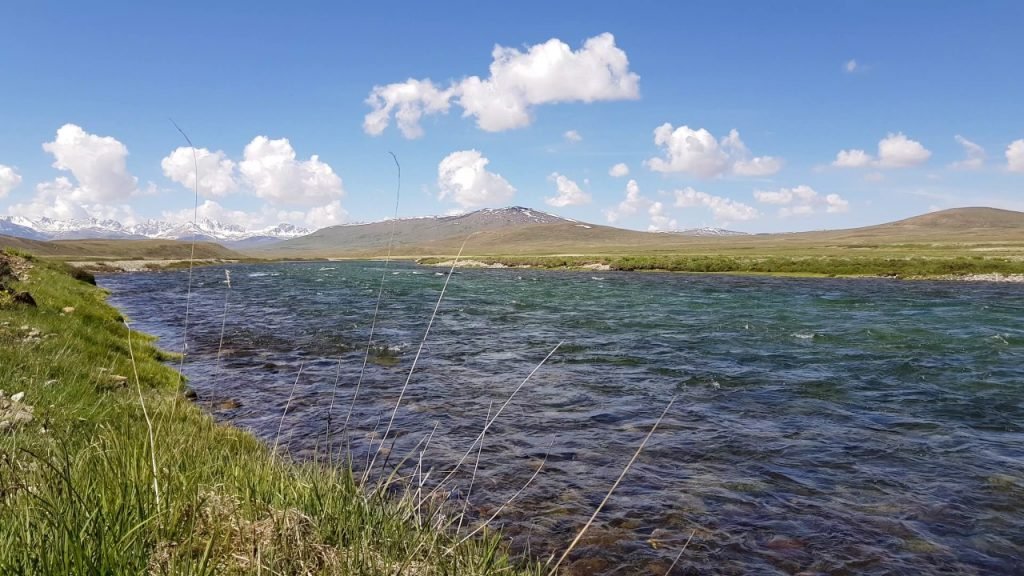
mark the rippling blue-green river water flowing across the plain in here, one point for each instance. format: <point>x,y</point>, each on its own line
<point>833,427</point>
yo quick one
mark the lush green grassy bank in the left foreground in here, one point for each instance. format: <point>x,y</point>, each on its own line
<point>79,496</point>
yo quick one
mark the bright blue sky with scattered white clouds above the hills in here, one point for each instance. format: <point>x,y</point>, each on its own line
<point>751,116</point>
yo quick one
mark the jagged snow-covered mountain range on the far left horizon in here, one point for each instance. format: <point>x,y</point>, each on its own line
<point>50,229</point>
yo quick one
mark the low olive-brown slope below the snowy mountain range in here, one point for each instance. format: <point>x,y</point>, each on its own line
<point>119,250</point>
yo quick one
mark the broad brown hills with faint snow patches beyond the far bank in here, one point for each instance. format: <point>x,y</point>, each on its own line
<point>520,231</point>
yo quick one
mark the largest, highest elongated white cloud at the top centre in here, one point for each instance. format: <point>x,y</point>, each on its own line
<point>546,73</point>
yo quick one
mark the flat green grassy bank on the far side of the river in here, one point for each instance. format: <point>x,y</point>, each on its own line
<point>908,267</point>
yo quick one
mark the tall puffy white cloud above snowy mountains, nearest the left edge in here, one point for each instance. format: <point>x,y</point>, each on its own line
<point>99,164</point>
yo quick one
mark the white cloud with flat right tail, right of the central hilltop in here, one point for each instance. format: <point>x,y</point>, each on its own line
<point>699,153</point>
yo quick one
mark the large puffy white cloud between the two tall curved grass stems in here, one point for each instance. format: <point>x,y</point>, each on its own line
<point>271,170</point>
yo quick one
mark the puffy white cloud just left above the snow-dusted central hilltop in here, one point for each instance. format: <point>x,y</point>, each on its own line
<point>463,178</point>
